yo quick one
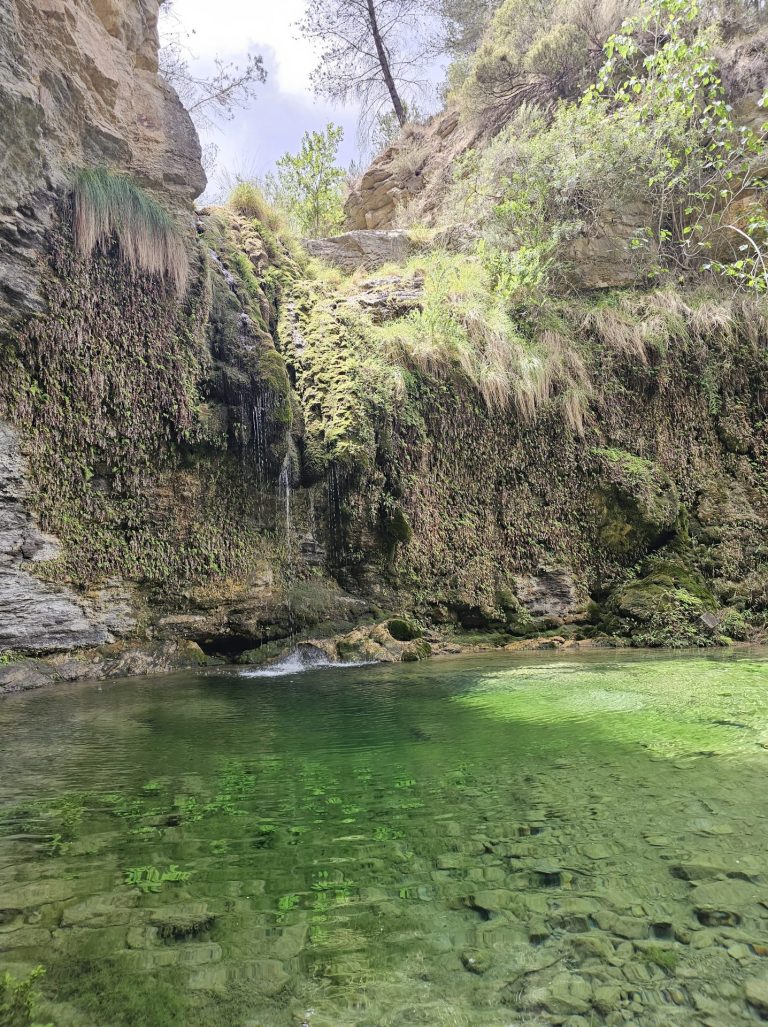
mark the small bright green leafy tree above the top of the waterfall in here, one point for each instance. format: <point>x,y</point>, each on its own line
<point>310,185</point>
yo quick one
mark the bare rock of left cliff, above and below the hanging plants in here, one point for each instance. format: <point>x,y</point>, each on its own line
<point>79,88</point>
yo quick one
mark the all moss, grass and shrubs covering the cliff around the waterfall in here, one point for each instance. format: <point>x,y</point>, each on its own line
<point>484,435</point>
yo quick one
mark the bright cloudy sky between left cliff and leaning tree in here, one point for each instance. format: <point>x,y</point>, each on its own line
<point>284,108</point>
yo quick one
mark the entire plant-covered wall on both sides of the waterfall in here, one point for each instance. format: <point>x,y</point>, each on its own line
<point>239,455</point>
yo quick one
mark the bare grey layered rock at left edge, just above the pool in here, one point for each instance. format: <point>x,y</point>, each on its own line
<point>34,617</point>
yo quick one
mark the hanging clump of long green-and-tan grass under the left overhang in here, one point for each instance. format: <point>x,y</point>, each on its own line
<point>109,208</point>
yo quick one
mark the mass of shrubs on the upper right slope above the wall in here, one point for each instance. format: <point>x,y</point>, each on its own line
<point>654,136</point>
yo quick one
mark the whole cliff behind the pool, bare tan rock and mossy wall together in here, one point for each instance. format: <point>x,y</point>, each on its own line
<point>285,450</point>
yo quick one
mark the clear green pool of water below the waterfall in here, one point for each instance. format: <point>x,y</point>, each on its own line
<point>490,841</point>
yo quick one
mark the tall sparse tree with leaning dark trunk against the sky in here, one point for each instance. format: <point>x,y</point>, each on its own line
<point>375,52</point>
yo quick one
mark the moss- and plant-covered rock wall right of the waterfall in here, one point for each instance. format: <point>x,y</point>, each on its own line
<point>671,459</point>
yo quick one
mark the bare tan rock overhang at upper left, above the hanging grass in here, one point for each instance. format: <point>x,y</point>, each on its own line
<point>80,87</point>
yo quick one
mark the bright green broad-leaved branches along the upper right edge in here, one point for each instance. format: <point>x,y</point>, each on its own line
<point>702,169</point>
